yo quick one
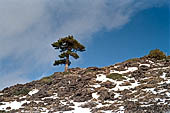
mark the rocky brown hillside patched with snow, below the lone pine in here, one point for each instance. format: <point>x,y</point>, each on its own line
<point>140,85</point>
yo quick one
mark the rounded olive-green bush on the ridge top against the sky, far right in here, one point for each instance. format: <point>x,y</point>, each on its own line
<point>157,54</point>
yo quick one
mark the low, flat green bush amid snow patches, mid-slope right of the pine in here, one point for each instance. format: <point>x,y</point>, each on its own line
<point>116,76</point>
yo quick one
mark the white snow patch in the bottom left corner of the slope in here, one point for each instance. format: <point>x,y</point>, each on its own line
<point>13,105</point>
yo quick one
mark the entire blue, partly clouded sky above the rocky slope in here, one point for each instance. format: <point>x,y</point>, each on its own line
<point>111,30</point>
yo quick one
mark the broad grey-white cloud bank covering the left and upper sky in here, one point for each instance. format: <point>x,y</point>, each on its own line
<point>28,27</point>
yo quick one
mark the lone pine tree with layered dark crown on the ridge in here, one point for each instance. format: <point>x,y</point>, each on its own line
<point>68,46</point>
